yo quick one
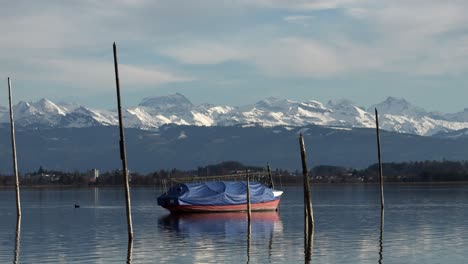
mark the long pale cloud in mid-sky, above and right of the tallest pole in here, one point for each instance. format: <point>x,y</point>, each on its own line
<point>291,56</point>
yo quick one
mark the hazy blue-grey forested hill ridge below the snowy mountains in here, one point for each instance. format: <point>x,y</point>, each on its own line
<point>187,147</point>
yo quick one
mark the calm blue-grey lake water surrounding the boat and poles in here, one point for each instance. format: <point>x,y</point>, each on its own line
<point>423,224</point>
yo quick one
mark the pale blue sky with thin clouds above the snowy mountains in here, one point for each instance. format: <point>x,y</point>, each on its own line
<point>237,52</point>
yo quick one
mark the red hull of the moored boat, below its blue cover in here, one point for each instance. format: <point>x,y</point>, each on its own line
<point>256,207</point>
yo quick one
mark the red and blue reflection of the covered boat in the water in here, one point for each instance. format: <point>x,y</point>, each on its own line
<point>232,224</point>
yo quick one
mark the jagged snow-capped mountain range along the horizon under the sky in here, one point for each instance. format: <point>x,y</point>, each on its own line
<point>395,114</point>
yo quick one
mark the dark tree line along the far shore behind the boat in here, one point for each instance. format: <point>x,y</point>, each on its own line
<point>419,171</point>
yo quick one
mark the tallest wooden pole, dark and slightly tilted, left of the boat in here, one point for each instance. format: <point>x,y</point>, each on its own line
<point>123,155</point>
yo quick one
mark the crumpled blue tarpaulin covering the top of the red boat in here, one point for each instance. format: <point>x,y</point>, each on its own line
<point>216,193</point>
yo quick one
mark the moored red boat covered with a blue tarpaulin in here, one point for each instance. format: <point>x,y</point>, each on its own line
<point>219,196</point>
